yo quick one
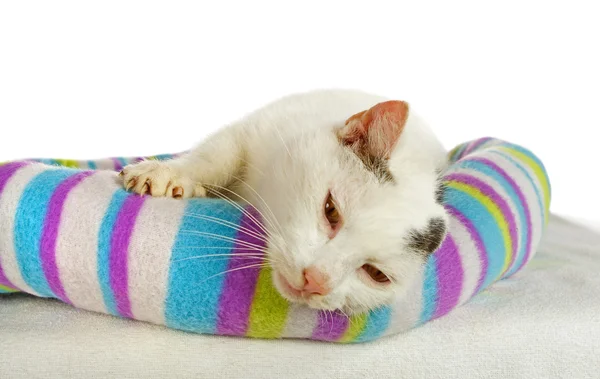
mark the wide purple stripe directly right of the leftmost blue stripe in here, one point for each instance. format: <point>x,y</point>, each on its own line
<point>50,233</point>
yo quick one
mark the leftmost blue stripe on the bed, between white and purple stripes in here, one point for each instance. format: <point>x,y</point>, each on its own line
<point>29,224</point>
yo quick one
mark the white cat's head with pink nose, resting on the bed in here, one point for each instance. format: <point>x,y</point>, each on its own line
<point>353,211</point>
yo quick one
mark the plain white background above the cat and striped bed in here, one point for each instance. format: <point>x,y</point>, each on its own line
<point>94,79</point>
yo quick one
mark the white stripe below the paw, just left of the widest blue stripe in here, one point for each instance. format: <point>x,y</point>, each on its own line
<point>149,257</point>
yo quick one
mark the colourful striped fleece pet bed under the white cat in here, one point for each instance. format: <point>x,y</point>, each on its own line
<point>74,234</point>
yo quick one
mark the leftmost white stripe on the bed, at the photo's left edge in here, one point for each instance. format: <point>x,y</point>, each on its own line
<point>9,203</point>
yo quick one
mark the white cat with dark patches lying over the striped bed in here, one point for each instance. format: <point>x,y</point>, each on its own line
<point>348,185</point>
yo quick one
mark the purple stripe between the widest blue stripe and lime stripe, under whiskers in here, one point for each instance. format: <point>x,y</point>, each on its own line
<point>239,285</point>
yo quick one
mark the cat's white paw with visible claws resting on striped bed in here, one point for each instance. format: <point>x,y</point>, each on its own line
<point>160,180</point>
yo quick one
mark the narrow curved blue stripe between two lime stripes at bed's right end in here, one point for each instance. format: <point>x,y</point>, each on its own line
<point>488,171</point>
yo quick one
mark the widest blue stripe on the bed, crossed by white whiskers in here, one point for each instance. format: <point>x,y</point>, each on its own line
<point>195,284</point>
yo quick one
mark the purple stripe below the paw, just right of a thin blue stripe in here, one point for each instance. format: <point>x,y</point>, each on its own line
<point>119,247</point>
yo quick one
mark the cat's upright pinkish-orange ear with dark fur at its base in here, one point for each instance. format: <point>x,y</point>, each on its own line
<point>376,131</point>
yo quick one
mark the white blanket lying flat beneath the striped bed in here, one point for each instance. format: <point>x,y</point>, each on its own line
<point>542,323</point>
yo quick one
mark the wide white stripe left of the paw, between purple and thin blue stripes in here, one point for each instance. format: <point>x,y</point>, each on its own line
<point>77,242</point>
